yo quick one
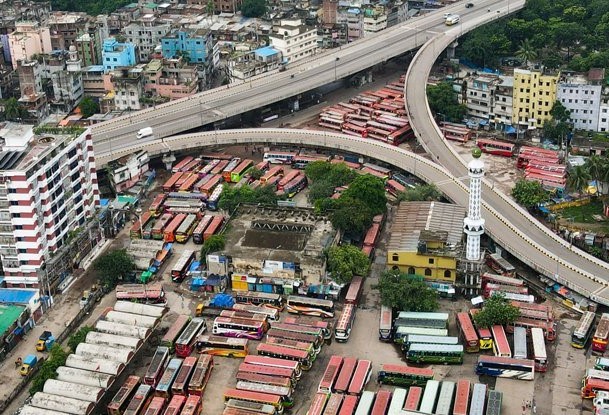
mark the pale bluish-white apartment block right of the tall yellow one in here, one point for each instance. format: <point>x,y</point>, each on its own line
<point>582,99</point>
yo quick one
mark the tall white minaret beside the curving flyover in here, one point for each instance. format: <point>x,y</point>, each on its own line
<point>473,224</point>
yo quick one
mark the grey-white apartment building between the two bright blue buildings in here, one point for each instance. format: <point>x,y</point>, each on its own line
<point>146,35</point>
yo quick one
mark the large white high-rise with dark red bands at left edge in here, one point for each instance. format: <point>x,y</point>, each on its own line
<point>48,189</point>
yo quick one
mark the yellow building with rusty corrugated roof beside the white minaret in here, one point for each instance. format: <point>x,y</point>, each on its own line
<point>425,239</point>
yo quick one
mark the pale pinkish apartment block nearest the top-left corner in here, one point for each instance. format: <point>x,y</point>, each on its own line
<point>28,39</point>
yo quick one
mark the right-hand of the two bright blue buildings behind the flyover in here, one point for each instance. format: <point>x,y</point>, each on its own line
<point>196,47</point>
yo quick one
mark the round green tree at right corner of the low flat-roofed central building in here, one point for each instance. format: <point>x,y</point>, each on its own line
<point>346,261</point>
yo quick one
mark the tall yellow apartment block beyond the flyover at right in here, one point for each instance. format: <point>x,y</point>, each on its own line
<point>534,96</point>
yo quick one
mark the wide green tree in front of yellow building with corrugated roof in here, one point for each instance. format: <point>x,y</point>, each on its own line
<point>406,292</point>
